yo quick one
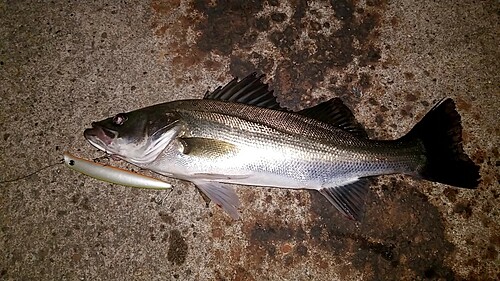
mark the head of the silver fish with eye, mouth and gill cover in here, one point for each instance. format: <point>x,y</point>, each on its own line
<point>137,137</point>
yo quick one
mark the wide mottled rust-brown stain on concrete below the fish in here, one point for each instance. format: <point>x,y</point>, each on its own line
<point>401,236</point>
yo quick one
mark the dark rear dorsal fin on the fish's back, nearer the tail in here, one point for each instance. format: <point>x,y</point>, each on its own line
<point>336,113</point>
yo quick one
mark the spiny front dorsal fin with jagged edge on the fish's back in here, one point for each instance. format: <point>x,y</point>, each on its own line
<point>250,90</point>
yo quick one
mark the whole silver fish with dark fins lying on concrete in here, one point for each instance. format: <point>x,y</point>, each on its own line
<point>239,134</point>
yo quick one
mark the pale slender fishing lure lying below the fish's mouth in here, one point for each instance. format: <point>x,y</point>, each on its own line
<point>112,174</point>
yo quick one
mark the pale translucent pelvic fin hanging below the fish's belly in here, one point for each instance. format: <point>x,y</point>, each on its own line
<point>222,195</point>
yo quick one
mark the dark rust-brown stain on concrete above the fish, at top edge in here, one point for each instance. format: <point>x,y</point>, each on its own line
<point>313,45</point>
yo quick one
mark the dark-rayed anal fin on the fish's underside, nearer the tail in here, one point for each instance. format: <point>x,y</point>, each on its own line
<point>349,199</point>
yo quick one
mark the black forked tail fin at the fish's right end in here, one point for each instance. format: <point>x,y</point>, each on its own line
<point>441,134</point>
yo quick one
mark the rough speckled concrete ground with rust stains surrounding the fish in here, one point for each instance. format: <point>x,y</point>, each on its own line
<point>64,64</point>
